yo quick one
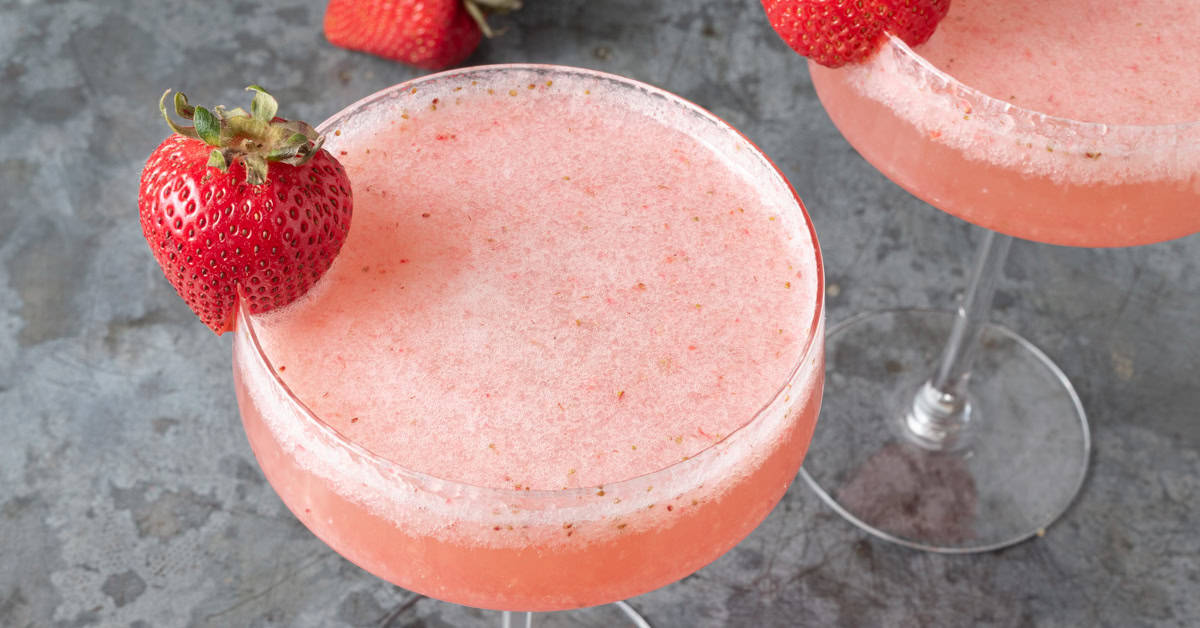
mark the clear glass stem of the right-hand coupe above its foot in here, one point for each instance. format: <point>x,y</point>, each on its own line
<point>941,411</point>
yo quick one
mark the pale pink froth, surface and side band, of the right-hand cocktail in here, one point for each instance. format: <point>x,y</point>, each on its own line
<point>988,117</point>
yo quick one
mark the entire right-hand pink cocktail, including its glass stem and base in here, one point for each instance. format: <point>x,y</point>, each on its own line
<point>1065,122</point>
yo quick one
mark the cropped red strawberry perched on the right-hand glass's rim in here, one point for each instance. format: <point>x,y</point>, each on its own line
<point>836,33</point>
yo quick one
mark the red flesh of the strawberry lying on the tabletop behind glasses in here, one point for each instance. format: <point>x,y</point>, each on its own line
<point>428,34</point>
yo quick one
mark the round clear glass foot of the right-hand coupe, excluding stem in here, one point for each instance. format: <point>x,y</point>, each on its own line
<point>1013,470</point>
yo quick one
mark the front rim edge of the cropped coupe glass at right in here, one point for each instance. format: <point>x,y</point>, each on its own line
<point>903,50</point>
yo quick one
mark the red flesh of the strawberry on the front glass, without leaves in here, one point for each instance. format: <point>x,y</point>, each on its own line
<point>217,236</point>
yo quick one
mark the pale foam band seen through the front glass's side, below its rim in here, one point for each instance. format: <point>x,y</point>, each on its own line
<point>424,506</point>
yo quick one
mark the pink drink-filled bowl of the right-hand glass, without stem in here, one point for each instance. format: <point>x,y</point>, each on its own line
<point>1071,123</point>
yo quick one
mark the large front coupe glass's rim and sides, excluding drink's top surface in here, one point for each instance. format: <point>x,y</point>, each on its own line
<point>538,551</point>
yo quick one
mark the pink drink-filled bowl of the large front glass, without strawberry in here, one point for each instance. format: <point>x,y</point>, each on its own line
<point>571,352</point>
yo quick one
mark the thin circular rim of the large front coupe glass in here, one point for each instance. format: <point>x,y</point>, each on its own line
<point>812,344</point>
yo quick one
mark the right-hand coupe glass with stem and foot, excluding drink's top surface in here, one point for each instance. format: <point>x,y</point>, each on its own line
<point>949,433</point>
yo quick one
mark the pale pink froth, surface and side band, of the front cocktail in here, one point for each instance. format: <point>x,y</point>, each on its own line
<point>523,313</point>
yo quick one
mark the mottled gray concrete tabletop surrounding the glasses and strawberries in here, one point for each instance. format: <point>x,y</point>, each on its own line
<point>129,497</point>
